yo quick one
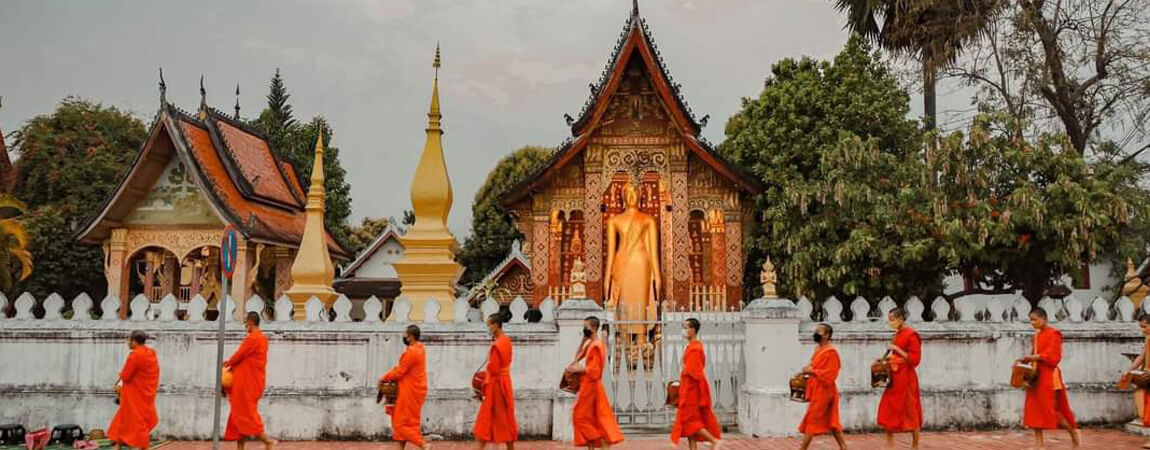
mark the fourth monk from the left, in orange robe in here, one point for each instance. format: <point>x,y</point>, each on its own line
<point>496,423</point>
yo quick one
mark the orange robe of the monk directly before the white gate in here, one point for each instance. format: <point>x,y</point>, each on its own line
<point>694,411</point>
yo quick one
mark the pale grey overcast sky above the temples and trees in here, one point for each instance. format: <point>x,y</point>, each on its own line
<point>511,68</point>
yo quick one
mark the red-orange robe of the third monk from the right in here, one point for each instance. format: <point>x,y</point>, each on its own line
<point>901,410</point>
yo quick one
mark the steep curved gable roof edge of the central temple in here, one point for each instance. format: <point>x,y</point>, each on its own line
<point>635,41</point>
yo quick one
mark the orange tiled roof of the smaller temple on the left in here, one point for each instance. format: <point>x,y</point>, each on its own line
<point>234,169</point>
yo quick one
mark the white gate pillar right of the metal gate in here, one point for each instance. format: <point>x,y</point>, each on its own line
<point>772,354</point>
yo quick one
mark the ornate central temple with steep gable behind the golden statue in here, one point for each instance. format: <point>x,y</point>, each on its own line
<point>638,196</point>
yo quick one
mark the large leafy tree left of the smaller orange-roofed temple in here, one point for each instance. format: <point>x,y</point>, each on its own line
<point>70,163</point>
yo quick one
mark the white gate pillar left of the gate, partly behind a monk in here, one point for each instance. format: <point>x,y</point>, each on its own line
<point>570,319</point>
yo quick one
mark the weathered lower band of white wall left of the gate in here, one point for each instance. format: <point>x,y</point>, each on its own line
<point>290,417</point>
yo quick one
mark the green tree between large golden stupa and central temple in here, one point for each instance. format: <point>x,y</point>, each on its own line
<point>493,232</point>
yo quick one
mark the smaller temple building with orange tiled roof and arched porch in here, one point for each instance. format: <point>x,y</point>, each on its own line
<point>198,173</point>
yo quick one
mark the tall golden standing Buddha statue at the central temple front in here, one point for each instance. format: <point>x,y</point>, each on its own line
<point>634,283</point>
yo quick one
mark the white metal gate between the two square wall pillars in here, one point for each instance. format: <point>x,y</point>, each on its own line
<point>638,375</point>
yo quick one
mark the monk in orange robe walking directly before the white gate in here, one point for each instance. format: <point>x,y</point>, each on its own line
<point>694,417</point>
